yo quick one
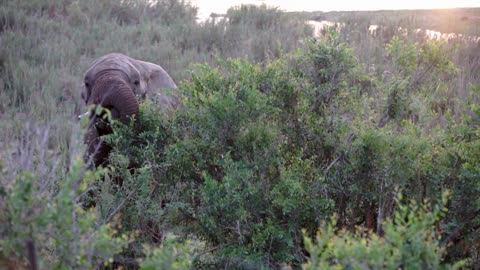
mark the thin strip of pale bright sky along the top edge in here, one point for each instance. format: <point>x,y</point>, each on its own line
<point>220,6</point>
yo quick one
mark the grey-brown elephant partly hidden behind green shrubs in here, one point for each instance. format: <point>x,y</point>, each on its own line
<point>117,82</point>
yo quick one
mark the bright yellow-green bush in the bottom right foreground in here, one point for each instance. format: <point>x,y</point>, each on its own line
<point>410,241</point>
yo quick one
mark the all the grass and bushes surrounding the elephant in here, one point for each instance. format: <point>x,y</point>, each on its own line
<point>288,151</point>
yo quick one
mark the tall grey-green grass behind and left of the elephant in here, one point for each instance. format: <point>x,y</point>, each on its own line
<point>47,45</point>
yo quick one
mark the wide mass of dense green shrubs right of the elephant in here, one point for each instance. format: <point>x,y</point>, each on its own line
<point>259,152</point>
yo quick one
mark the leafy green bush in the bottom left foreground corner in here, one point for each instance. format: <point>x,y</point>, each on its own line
<point>43,221</point>
